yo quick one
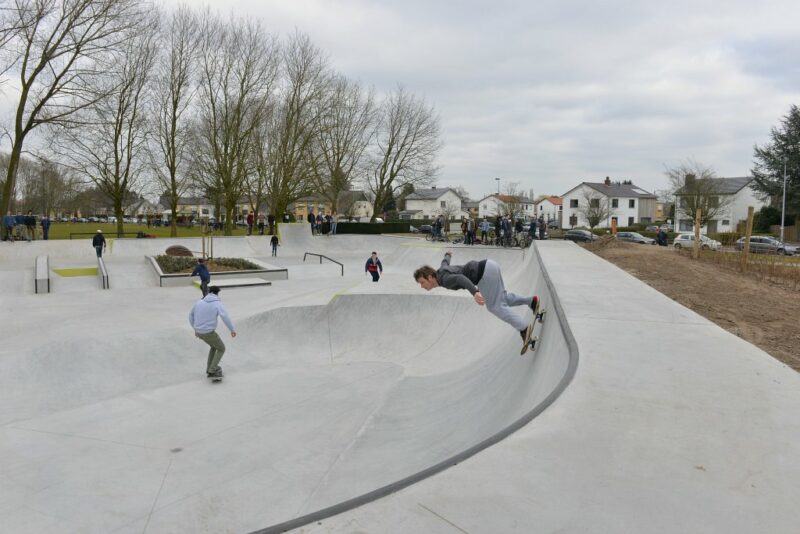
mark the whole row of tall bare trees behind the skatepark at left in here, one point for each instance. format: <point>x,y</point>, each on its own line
<point>130,99</point>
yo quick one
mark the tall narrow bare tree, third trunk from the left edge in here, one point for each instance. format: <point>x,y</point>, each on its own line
<point>173,92</point>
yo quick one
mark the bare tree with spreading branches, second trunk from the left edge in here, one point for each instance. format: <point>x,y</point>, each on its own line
<point>109,141</point>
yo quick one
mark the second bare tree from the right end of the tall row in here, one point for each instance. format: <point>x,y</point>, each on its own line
<point>344,130</point>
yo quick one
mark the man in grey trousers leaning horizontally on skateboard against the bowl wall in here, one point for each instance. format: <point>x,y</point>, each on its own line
<point>485,282</point>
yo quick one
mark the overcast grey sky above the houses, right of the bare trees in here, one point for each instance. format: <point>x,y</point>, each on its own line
<point>551,93</point>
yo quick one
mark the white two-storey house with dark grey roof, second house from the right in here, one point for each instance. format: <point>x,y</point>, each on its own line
<point>628,203</point>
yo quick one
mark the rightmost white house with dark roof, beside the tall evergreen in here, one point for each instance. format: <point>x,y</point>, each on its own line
<point>736,195</point>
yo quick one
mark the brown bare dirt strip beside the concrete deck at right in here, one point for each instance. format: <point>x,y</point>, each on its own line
<point>760,312</point>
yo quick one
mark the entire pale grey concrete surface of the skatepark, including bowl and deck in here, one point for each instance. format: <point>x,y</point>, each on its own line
<point>337,387</point>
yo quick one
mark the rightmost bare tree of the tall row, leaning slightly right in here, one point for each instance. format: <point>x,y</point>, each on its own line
<point>407,142</point>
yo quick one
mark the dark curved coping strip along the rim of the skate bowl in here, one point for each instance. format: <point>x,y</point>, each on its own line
<point>403,483</point>
